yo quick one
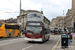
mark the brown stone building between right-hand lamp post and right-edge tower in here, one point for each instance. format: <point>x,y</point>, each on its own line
<point>68,19</point>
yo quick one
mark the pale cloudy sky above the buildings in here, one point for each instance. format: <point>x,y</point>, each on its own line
<point>51,8</point>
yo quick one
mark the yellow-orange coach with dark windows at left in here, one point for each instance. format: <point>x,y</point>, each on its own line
<point>9,30</point>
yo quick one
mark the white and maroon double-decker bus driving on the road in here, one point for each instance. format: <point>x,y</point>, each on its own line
<point>37,27</point>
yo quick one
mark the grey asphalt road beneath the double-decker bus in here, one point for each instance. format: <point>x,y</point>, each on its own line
<point>21,44</point>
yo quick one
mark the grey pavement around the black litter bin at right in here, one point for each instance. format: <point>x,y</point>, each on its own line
<point>70,47</point>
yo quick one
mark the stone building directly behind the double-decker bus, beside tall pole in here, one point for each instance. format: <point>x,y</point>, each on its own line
<point>24,16</point>
